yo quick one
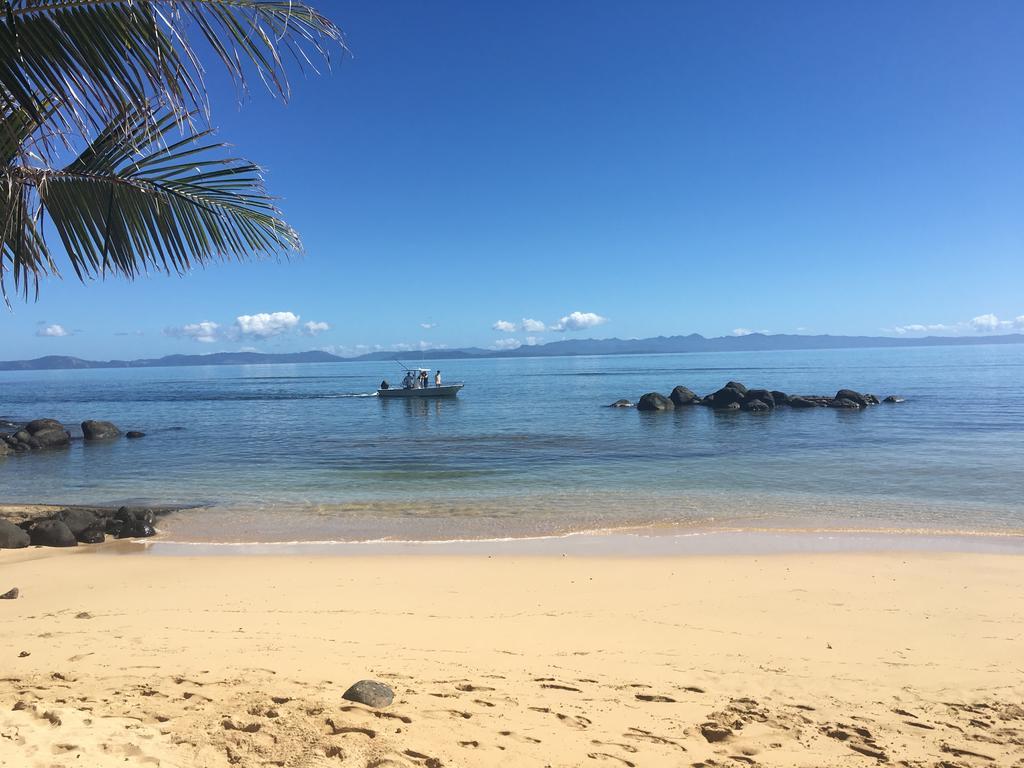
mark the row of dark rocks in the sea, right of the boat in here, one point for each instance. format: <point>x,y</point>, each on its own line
<point>737,397</point>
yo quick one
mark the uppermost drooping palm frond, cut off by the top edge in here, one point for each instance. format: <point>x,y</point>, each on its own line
<point>90,57</point>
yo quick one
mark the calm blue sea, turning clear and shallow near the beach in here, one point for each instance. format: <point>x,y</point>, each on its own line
<point>302,453</point>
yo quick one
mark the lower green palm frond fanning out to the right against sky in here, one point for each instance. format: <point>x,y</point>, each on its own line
<point>123,210</point>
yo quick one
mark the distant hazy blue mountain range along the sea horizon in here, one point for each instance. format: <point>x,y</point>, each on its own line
<point>568,348</point>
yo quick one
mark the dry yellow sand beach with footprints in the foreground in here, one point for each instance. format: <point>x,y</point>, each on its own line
<point>790,661</point>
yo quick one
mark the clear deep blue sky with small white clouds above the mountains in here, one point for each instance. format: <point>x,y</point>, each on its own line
<point>654,168</point>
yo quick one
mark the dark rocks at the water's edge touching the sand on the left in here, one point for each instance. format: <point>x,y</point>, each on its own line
<point>75,526</point>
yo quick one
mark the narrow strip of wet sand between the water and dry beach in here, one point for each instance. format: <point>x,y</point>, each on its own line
<point>652,540</point>
